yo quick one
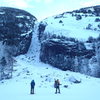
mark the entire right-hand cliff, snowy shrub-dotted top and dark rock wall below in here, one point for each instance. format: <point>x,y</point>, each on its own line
<point>69,41</point>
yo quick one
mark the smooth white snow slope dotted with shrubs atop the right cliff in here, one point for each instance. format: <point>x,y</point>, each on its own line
<point>75,24</point>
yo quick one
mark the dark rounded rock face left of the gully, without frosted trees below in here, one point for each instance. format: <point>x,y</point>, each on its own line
<point>16,27</point>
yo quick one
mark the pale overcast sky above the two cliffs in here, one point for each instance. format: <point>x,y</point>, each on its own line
<point>44,8</point>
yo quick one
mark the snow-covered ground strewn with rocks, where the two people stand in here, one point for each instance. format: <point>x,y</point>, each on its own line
<point>25,69</point>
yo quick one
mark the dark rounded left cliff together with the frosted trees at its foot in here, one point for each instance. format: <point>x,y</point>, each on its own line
<point>16,30</point>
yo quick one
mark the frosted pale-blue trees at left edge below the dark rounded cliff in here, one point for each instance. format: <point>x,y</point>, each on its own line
<point>6,62</point>
